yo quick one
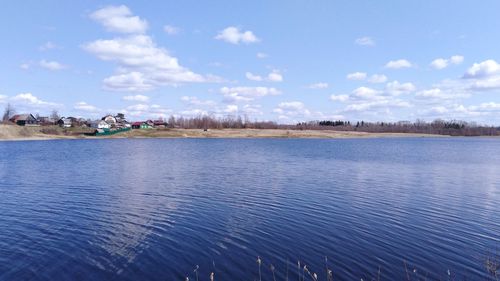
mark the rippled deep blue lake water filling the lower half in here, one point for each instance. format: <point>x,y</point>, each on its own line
<point>153,209</point>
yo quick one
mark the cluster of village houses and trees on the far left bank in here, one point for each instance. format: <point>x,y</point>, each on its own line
<point>107,125</point>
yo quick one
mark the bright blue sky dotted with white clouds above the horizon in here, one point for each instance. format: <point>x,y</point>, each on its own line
<point>284,61</point>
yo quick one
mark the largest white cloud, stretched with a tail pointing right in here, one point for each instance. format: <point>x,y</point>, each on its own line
<point>142,66</point>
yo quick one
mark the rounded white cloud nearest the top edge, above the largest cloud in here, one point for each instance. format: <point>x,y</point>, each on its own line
<point>119,19</point>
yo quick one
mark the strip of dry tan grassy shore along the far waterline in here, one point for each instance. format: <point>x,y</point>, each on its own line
<point>16,133</point>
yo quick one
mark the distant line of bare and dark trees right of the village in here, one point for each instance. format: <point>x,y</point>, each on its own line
<point>438,127</point>
